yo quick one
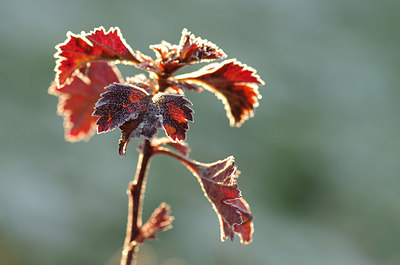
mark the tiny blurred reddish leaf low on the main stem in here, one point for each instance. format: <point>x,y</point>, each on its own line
<point>160,220</point>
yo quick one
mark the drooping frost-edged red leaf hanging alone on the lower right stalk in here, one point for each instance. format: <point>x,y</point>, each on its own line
<point>218,181</point>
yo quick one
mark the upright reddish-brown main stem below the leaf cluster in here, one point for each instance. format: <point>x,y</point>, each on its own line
<point>136,193</point>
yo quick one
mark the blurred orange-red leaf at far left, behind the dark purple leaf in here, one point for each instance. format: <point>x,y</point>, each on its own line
<point>77,99</point>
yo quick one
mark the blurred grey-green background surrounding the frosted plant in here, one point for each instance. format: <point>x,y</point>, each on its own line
<point>319,161</point>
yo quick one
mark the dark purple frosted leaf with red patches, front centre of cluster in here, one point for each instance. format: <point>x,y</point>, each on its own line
<point>139,113</point>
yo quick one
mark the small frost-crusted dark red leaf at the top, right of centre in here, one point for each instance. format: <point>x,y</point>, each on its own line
<point>192,49</point>
